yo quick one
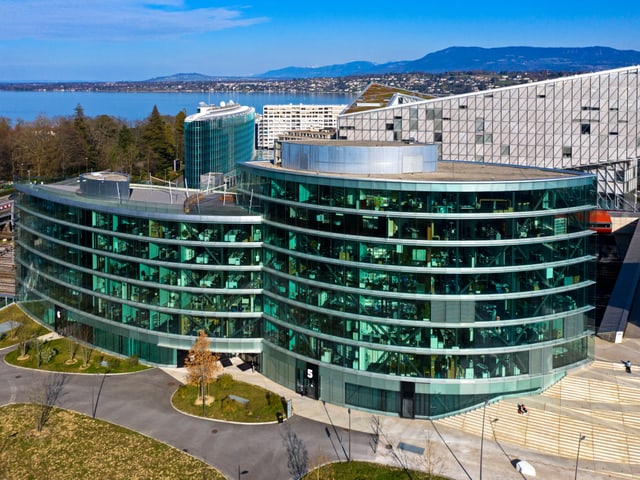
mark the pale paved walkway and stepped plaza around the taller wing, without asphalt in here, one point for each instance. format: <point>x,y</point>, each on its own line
<point>599,402</point>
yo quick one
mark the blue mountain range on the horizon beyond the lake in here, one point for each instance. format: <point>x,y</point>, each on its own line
<point>455,59</point>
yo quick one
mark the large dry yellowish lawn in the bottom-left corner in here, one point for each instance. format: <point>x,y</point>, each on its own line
<point>76,446</point>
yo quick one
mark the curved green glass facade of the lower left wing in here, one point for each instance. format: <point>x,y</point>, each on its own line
<point>139,285</point>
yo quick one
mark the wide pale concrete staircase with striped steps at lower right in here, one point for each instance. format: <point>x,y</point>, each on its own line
<point>600,401</point>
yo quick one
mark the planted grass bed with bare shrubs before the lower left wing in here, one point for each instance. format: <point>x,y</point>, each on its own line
<point>98,362</point>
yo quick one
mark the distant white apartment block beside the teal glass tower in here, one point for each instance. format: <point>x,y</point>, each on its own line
<point>278,120</point>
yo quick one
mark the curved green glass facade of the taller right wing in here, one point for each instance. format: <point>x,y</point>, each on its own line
<point>394,293</point>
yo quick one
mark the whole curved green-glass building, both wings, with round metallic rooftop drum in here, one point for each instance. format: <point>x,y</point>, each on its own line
<point>364,274</point>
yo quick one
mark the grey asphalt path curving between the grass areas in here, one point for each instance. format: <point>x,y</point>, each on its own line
<point>142,402</point>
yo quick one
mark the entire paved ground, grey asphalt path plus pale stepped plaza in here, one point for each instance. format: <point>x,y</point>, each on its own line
<point>600,402</point>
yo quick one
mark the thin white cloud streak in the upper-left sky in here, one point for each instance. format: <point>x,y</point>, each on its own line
<point>113,20</point>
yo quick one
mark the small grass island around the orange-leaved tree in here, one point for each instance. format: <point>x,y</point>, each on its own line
<point>262,405</point>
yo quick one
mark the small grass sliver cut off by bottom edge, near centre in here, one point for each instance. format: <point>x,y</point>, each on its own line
<point>365,471</point>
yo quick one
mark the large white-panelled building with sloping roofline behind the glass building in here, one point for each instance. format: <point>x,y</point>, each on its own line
<point>586,122</point>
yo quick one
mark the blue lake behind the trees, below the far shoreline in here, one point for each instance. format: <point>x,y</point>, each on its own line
<point>136,106</point>
